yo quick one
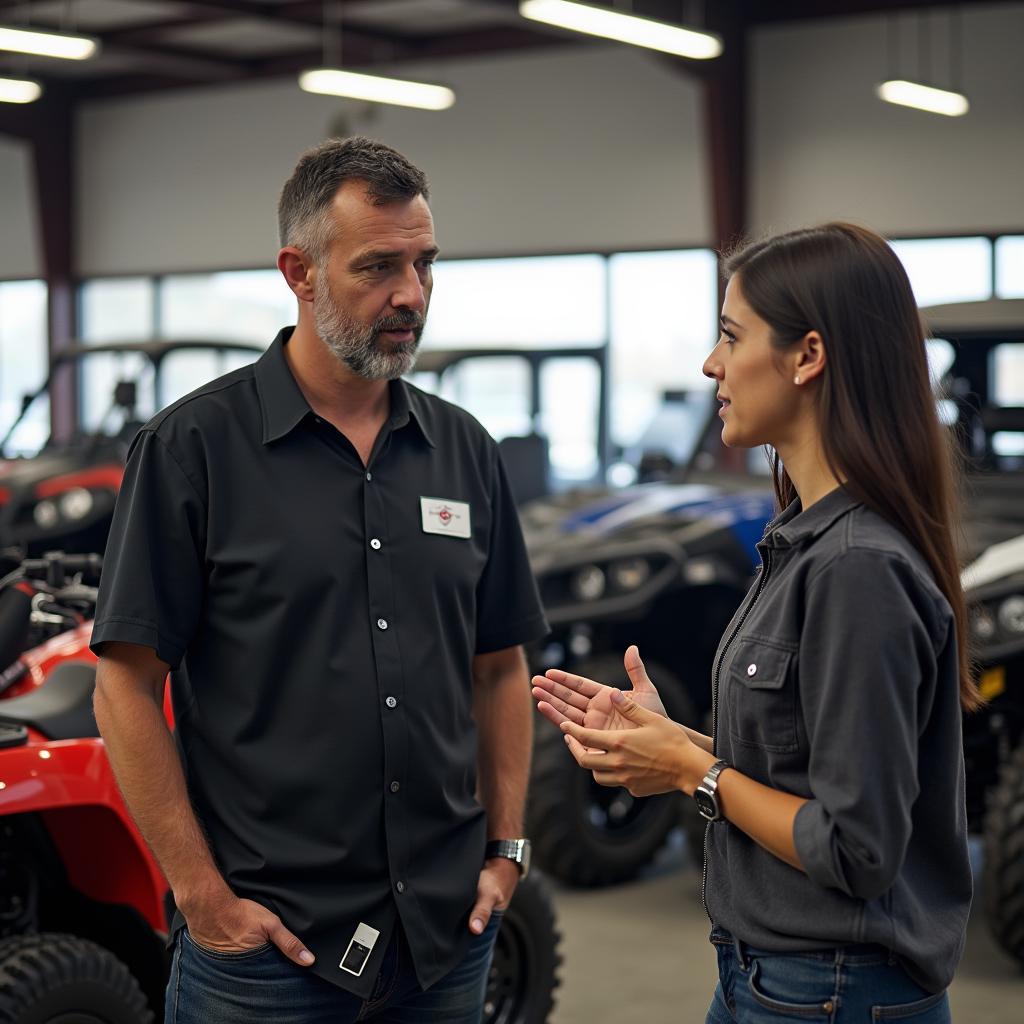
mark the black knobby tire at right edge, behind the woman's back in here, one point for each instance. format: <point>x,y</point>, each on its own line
<point>1004,882</point>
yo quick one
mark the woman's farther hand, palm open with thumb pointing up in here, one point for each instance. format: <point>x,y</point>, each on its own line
<point>564,697</point>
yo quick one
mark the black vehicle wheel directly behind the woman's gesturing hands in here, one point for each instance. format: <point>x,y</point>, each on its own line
<point>590,835</point>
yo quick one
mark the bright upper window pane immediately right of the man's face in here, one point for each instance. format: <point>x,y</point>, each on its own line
<point>531,303</point>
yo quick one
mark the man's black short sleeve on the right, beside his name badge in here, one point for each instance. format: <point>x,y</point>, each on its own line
<point>508,607</point>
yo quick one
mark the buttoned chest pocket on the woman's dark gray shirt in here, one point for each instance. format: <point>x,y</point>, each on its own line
<point>764,696</point>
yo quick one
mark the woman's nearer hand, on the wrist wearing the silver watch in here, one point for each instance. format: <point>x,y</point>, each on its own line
<point>647,753</point>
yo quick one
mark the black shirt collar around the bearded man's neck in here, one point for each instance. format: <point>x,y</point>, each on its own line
<point>283,406</point>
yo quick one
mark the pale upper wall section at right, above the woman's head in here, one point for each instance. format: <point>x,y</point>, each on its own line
<point>824,147</point>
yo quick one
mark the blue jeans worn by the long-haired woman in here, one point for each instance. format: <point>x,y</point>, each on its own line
<point>847,986</point>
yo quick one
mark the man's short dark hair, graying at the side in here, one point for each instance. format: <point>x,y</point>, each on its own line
<point>308,195</point>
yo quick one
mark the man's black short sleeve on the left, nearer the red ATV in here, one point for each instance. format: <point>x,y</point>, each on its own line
<point>151,591</point>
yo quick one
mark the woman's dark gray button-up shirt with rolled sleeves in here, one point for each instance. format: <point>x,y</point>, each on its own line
<point>838,681</point>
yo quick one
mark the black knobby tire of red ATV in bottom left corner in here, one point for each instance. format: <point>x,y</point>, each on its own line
<point>62,979</point>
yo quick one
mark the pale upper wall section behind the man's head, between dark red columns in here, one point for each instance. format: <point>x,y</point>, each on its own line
<point>560,151</point>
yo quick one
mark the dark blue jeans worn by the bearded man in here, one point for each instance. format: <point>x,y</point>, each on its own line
<point>262,985</point>
